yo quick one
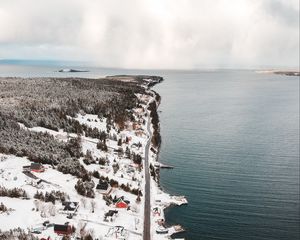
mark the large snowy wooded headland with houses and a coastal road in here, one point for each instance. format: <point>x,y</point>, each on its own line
<point>78,159</point>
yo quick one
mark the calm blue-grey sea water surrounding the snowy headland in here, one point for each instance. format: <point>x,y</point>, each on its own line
<point>233,137</point>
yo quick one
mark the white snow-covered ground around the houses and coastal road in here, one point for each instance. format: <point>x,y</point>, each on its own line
<point>23,212</point>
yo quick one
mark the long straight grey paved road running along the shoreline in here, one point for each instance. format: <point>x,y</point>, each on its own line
<point>147,210</point>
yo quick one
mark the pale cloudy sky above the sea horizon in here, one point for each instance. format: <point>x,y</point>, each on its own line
<point>148,34</point>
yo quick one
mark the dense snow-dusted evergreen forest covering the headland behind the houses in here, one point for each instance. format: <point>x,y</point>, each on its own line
<point>49,103</point>
